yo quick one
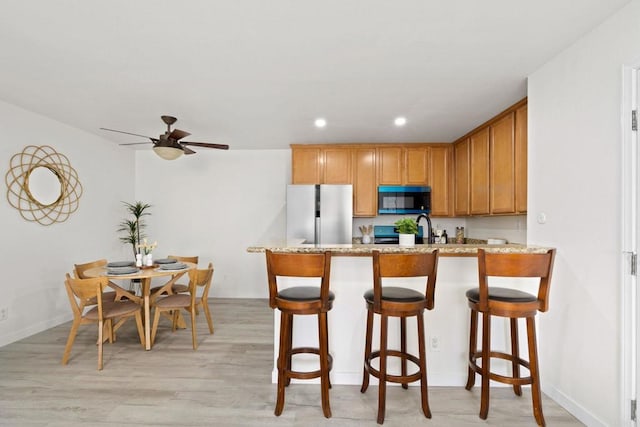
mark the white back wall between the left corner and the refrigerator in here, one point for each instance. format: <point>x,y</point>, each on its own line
<point>215,204</point>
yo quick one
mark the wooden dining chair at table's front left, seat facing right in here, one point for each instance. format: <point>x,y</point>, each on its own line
<point>104,313</point>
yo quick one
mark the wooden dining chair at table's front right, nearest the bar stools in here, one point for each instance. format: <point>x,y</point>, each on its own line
<point>189,302</point>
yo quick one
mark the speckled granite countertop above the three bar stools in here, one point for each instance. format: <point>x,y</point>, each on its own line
<point>454,250</point>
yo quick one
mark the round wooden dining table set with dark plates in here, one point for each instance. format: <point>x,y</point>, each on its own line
<point>145,274</point>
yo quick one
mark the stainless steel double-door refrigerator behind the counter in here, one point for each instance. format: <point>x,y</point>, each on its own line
<point>319,214</point>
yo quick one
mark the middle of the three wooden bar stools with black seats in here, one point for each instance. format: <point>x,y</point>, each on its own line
<point>391,301</point>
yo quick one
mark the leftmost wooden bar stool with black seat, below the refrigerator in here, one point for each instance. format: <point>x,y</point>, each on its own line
<point>301,300</point>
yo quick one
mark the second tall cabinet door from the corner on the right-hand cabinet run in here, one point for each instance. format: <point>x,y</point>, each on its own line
<point>479,178</point>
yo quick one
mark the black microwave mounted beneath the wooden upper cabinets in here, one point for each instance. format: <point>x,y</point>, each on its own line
<point>404,199</point>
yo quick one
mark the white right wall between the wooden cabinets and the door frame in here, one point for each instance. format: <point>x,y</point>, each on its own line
<point>574,177</point>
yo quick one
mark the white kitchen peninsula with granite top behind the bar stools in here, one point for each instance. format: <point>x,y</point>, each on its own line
<point>446,326</point>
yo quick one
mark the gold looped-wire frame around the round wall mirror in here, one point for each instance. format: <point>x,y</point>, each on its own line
<point>20,195</point>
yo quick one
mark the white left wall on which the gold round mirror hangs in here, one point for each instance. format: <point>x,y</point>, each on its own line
<point>37,257</point>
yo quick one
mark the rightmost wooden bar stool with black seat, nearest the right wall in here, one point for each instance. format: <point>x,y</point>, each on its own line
<point>513,304</point>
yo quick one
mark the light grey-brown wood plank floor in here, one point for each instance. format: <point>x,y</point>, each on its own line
<point>226,382</point>
